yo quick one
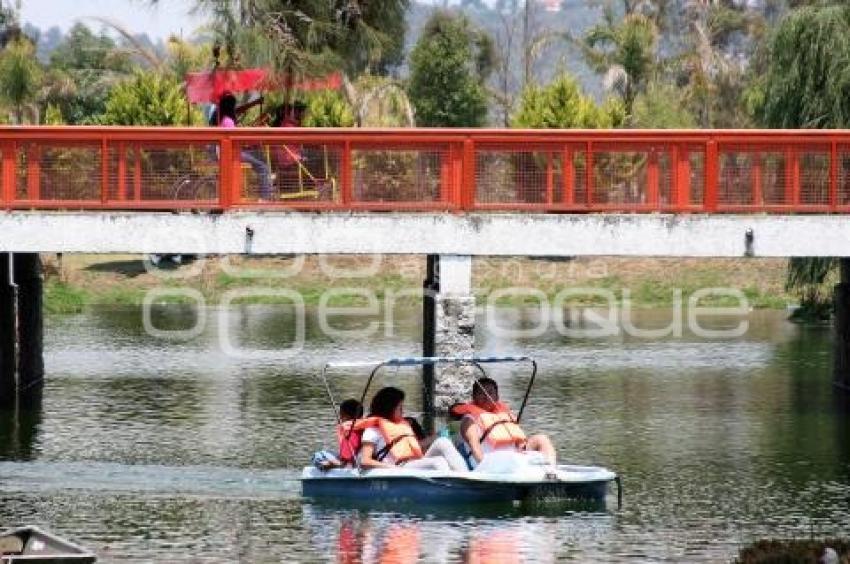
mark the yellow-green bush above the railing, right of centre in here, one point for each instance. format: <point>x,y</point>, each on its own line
<point>561,105</point>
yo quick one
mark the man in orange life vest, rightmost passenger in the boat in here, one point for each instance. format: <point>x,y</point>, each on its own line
<point>487,425</point>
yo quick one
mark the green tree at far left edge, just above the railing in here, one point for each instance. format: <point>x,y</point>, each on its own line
<point>20,78</point>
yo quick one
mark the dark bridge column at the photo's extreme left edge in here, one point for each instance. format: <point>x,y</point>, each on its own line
<point>8,334</point>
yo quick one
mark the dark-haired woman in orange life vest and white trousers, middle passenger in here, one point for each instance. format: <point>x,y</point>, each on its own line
<point>389,441</point>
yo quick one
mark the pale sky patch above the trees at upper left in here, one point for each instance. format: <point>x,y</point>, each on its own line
<point>170,17</point>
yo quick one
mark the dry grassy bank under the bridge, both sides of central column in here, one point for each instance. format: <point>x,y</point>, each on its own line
<point>124,279</point>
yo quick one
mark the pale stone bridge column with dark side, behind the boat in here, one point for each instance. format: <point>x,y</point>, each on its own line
<point>448,329</point>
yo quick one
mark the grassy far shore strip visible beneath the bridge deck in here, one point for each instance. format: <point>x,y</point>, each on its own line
<point>75,282</point>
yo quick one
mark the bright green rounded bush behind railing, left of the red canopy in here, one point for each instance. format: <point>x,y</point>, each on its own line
<point>148,99</point>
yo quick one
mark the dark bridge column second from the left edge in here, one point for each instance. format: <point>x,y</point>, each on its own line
<point>28,277</point>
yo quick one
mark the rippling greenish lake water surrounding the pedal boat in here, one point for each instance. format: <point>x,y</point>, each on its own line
<point>147,449</point>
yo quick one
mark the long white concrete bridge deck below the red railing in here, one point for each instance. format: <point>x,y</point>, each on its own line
<point>427,233</point>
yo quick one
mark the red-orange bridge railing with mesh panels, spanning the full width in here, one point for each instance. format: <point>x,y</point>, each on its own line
<point>700,171</point>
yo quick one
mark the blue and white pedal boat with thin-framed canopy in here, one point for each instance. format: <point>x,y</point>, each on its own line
<point>501,477</point>
